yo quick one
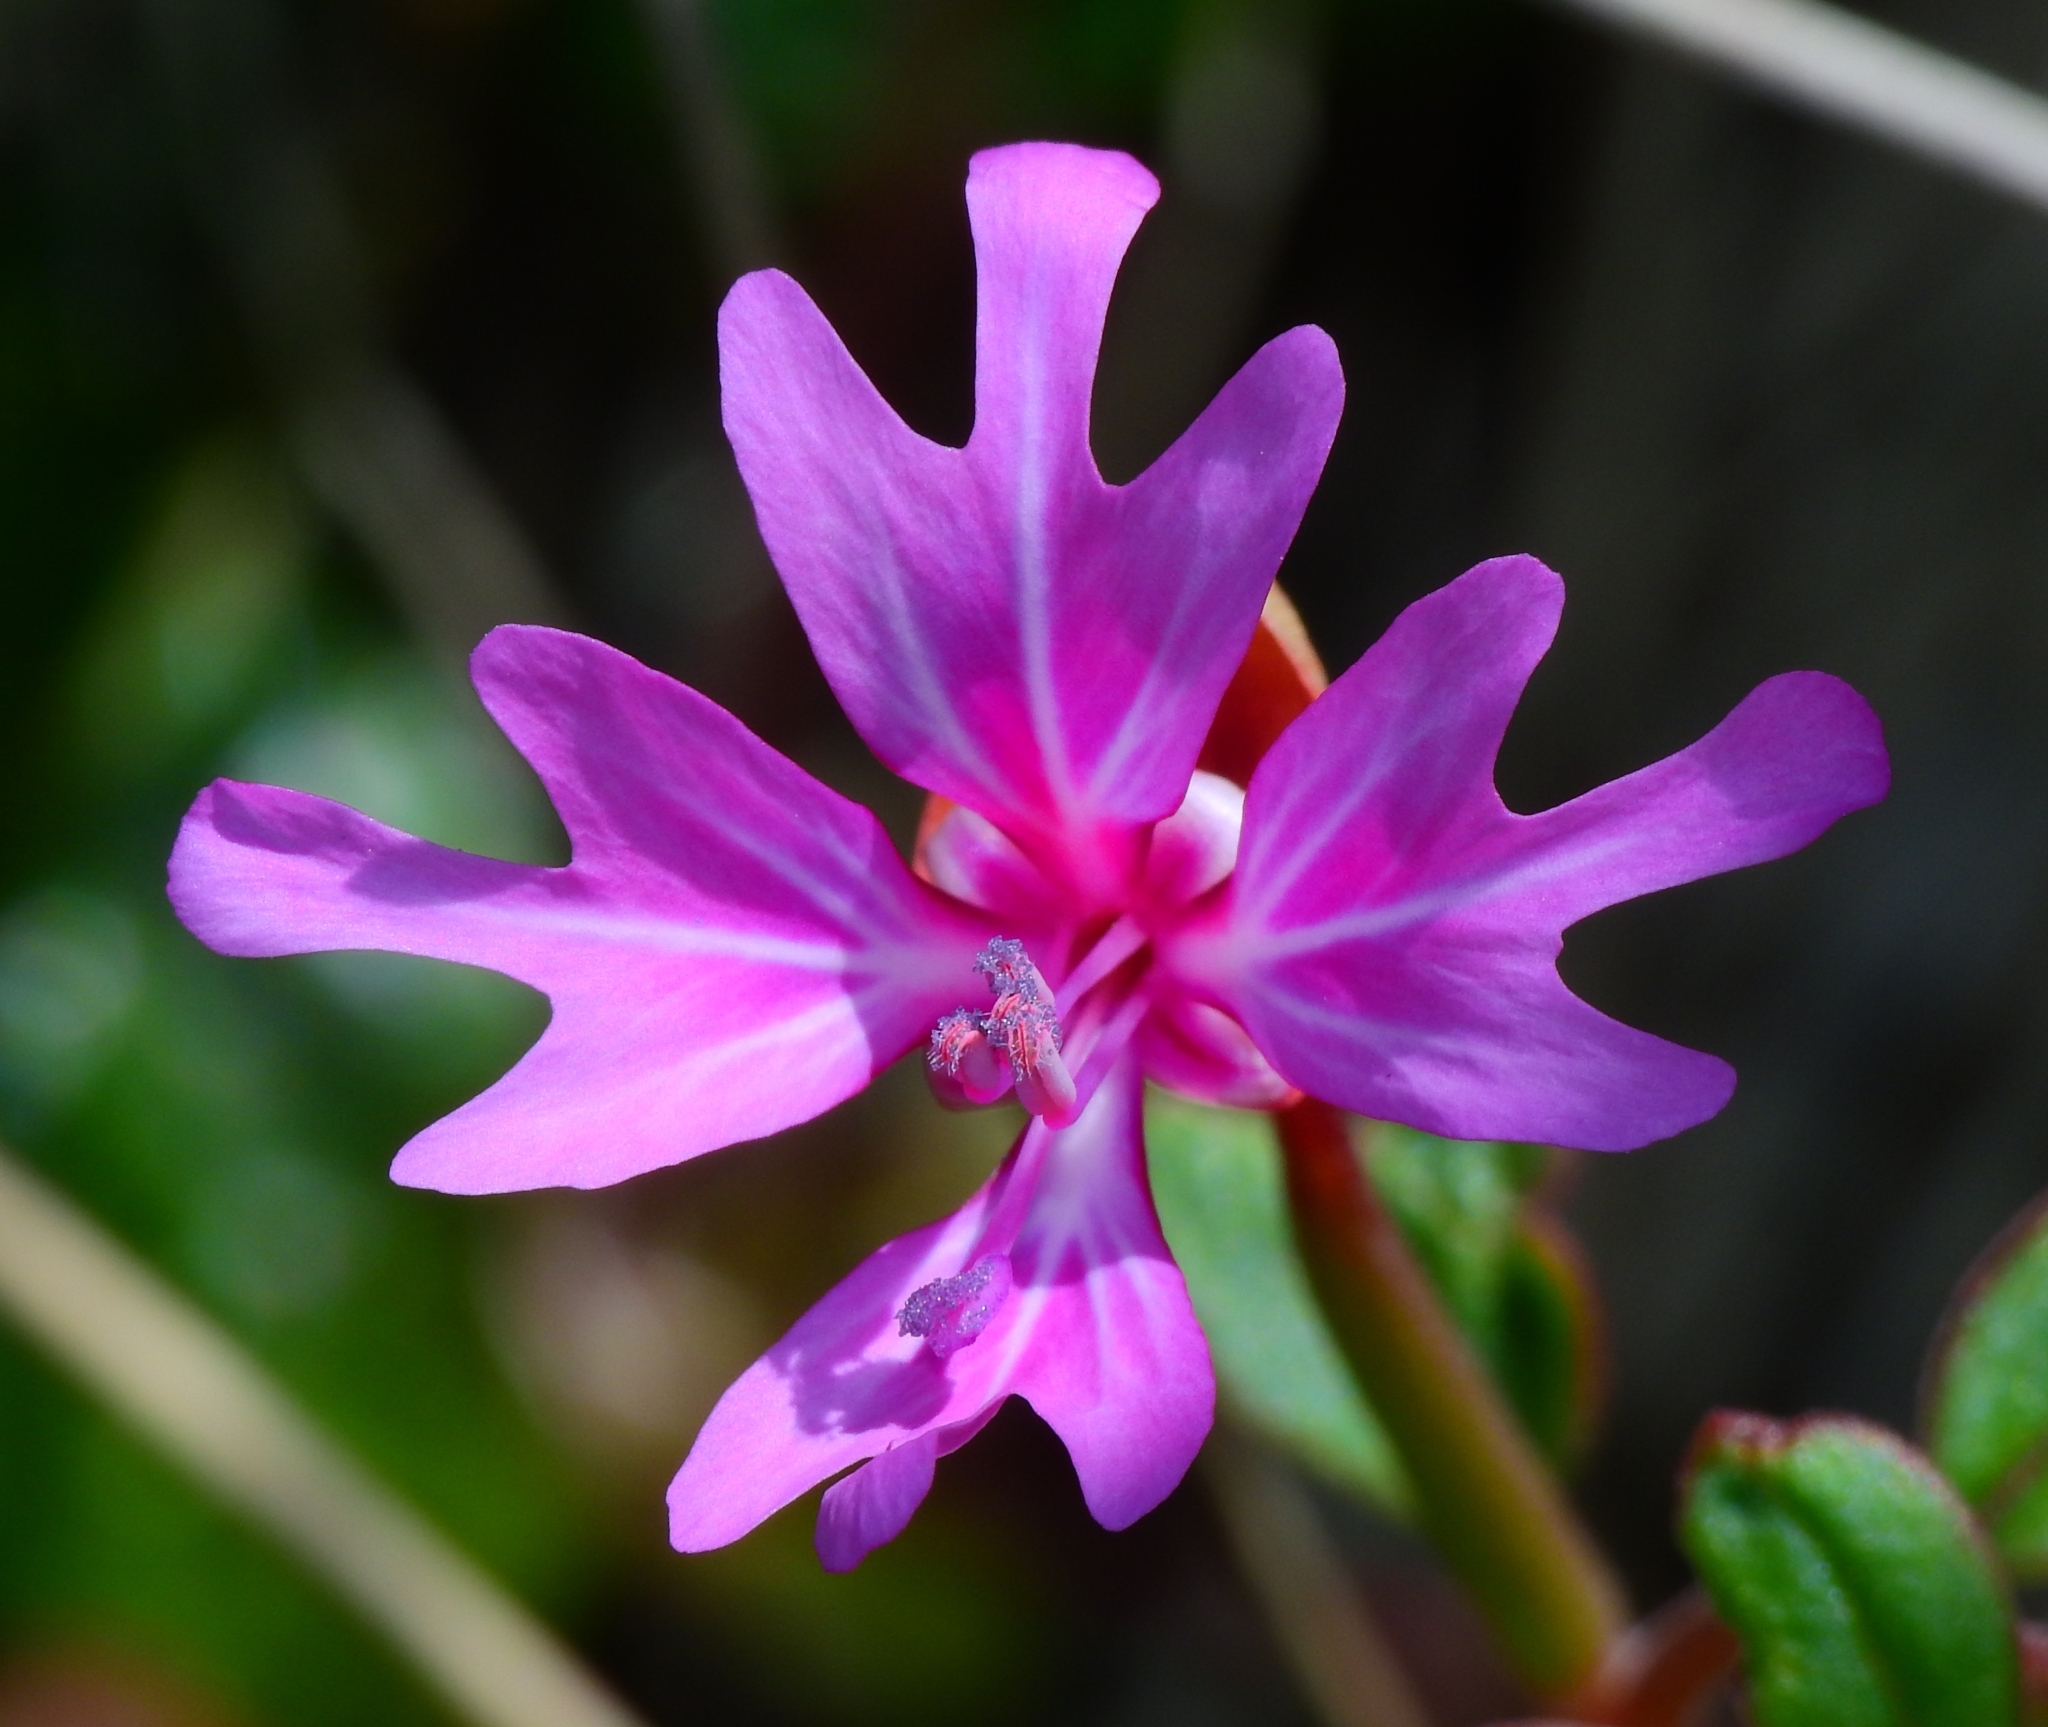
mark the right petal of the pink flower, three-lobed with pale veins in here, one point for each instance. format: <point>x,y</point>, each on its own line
<point>1392,933</point>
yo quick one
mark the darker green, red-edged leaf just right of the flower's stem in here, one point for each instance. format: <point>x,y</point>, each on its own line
<point>1504,1269</point>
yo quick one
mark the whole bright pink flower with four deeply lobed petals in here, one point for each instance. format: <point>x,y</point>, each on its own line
<point>736,947</point>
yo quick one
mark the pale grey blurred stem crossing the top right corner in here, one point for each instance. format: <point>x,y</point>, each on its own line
<point>1865,75</point>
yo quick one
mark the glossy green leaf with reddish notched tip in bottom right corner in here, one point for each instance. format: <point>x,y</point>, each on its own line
<point>1854,1576</point>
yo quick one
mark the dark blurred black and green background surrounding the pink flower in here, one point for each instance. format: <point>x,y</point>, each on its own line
<point>337,331</point>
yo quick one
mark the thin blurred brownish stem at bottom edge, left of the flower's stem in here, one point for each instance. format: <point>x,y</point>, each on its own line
<point>1318,1615</point>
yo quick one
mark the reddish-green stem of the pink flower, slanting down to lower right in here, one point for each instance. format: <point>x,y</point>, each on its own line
<point>1486,1499</point>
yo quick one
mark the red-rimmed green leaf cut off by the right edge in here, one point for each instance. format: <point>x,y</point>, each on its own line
<point>1988,1394</point>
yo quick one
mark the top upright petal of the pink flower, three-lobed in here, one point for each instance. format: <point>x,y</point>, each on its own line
<point>1002,626</point>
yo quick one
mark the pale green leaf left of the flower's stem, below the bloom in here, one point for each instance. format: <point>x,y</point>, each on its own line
<point>1224,1208</point>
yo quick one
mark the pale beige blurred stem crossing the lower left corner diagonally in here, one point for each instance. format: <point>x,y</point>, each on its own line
<point>146,1351</point>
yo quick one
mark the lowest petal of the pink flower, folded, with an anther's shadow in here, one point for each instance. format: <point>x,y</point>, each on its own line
<point>1097,1335</point>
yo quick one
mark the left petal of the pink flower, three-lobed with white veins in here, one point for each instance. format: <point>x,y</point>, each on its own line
<point>732,950</point>
